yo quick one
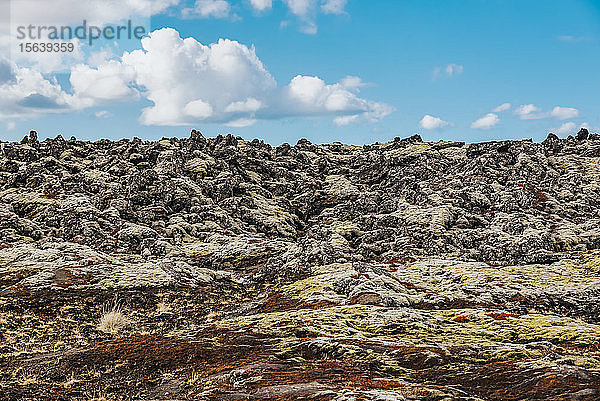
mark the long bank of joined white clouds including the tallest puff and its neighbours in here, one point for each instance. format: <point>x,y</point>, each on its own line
<point>224,82</point>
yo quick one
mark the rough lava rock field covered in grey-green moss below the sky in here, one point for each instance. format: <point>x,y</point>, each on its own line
<point>405,270</point>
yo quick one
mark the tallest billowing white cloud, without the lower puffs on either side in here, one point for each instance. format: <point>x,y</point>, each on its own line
<point>175,71</point>
